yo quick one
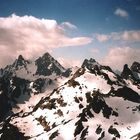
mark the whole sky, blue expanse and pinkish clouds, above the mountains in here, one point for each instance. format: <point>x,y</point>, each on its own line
<point>71,30</point>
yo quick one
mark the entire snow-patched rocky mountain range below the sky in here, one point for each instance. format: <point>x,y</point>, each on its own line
<point>42,100</point>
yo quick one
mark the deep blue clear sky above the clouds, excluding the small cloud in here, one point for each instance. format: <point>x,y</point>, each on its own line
<point>89,15</point>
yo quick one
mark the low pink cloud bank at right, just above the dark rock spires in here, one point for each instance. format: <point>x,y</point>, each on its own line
<point>118,56</point>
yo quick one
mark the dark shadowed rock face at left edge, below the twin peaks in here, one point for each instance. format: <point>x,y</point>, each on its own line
<point>10,92</point>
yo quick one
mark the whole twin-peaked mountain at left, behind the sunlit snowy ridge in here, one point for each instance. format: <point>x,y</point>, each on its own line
<point>24,78</point>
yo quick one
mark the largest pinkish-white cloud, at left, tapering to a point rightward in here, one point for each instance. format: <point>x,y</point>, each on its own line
<point>31,37</point>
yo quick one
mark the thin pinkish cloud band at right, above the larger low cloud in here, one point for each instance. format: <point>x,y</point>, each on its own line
<point>129,36</point>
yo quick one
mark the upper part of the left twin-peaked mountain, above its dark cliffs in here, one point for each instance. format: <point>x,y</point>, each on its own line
<point>45,65</point>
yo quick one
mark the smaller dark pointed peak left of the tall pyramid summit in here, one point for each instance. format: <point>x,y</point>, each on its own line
<point>20,61</point>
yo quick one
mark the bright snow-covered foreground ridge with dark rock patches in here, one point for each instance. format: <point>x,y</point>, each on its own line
<point>93,103</point>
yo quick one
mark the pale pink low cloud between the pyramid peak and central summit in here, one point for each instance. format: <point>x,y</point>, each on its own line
<point>68,63</point>
